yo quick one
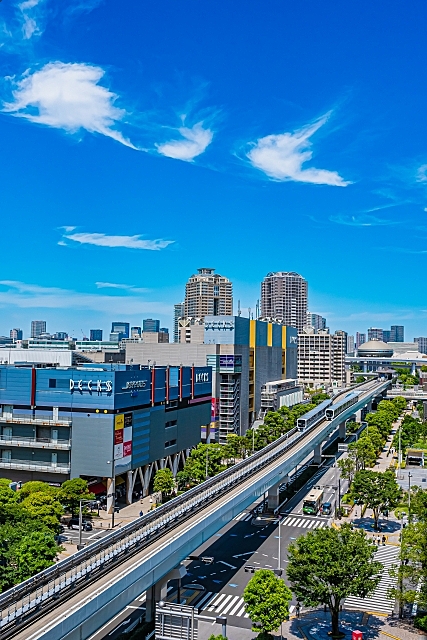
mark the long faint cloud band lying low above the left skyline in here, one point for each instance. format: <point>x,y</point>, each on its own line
<point>23,295</point>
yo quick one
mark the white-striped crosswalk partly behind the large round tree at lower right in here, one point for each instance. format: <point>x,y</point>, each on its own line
<point>379,601</point>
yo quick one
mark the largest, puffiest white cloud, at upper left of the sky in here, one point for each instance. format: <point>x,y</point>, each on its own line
<point>68,96</point>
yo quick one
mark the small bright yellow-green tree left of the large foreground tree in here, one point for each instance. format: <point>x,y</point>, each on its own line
<point>267,600</point>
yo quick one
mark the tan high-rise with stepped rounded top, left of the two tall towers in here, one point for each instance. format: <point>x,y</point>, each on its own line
<point>208,294</point>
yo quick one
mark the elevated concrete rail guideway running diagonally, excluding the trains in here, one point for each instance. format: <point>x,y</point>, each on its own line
<point>72,599</point>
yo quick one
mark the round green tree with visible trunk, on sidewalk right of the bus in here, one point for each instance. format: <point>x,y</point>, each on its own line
<point>376,490</point>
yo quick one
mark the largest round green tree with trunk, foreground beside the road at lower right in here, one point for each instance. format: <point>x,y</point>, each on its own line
<point>327,565</point>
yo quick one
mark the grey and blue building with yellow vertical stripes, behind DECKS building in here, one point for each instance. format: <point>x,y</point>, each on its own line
<point>244,355</point>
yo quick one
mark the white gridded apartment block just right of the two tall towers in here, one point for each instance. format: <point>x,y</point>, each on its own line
<point>321,358</point>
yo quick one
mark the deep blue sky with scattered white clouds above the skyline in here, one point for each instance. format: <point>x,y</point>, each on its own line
<point>142,140</point>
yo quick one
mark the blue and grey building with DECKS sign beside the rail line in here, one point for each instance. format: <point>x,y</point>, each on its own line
<point>61,423</point>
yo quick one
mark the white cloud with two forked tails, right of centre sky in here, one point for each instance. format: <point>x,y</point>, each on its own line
<point>282,156</point>
